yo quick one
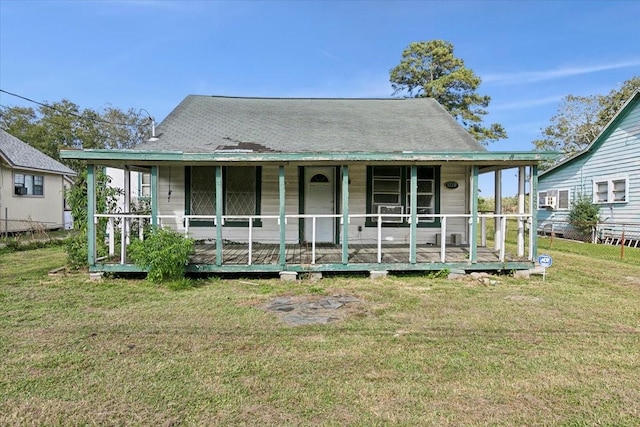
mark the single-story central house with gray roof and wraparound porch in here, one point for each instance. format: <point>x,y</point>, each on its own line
<point>315,185</point>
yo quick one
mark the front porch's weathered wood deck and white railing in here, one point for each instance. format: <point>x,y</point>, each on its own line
<point>220,255</point>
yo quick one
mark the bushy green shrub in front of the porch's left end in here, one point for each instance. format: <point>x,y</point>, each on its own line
<point>165,254</point>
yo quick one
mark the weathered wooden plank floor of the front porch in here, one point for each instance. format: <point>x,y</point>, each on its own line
<point>301,254</point>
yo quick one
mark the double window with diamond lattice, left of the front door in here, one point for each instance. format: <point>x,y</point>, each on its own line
<point>241,193</point>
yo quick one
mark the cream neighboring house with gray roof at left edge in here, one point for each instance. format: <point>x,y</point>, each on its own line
<point>32,188</point>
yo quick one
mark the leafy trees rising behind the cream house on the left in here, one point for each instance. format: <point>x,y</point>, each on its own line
<point>64,125</point>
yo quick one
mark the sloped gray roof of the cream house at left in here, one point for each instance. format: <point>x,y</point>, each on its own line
<point>21,155</point>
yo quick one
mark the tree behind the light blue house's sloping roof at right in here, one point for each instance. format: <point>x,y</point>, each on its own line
<point>580,119</point>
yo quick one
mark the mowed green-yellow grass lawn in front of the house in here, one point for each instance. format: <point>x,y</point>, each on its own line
<point>419,351</point>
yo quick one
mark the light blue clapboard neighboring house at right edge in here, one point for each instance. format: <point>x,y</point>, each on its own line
<point>606,172</point>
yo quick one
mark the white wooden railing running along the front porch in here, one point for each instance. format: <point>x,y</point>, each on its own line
<point>124,222</point>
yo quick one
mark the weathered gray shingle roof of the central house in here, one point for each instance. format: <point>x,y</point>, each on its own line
<point>201,124</point>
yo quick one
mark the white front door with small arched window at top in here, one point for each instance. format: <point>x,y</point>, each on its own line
<point>319,194</point>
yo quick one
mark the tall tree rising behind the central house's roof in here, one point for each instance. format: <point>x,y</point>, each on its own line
<point>430,70</point>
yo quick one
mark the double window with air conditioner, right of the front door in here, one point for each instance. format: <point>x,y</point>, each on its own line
<point>389,191</point>
